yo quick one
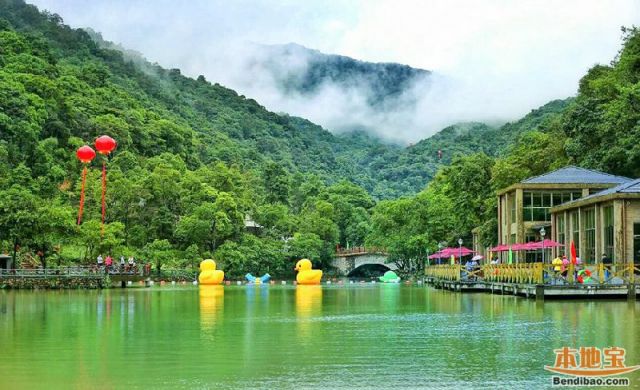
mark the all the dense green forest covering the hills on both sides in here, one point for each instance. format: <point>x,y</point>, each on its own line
<point>194,159</point>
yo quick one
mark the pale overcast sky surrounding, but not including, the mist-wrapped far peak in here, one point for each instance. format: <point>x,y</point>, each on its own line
<point>508,56</point>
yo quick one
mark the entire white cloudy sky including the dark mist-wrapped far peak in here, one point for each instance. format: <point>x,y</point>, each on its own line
<point>484,68</point>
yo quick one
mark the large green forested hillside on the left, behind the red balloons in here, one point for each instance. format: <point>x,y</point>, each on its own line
<point>193,159</point>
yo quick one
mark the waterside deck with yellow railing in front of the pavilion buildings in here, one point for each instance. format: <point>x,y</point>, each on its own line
<point>539,281</point>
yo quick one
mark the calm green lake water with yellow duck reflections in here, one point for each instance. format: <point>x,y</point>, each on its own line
<point>306,337</point>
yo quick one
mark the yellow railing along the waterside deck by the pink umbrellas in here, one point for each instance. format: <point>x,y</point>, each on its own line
<point>538,273</point>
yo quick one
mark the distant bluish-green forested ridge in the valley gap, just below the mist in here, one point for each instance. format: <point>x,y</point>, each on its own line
<point>389,171</point>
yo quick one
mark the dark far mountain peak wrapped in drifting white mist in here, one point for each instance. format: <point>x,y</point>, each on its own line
<point>393,101</point>
